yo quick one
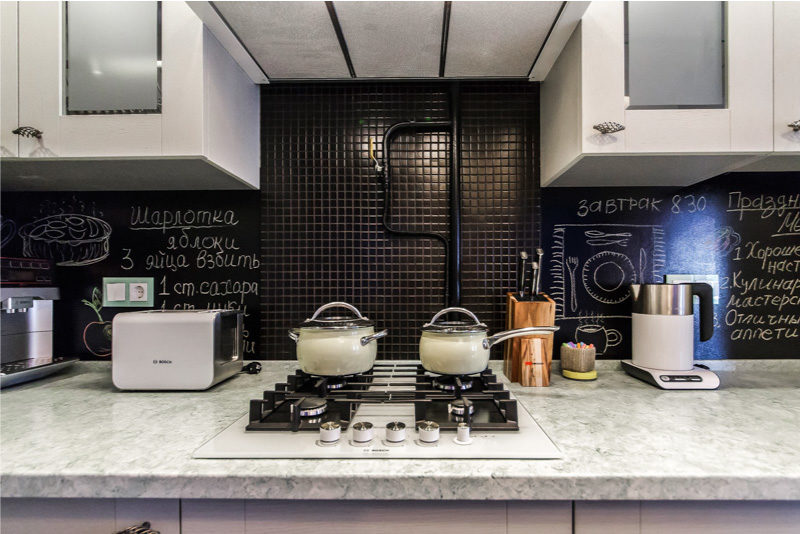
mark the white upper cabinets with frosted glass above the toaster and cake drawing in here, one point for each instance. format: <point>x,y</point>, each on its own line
<point>157,93</point>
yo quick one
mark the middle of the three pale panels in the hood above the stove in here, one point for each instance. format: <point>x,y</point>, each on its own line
<point>392,39</point>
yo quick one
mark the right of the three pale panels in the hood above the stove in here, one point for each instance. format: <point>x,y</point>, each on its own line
<point>497,38</point>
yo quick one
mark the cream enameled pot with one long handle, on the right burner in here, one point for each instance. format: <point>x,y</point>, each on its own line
<point>462,347</point>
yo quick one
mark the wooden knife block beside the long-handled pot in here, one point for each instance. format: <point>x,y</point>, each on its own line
<point>527,359</point>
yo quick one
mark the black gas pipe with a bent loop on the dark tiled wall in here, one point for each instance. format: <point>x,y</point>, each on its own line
<point>452,245</point>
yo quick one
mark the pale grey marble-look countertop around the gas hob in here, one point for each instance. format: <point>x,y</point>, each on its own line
<point>74,435</point>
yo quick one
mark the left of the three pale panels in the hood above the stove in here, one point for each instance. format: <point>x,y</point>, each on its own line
<point>288,39</point>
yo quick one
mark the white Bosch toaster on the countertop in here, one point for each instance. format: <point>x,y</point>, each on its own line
<point>175,349</point>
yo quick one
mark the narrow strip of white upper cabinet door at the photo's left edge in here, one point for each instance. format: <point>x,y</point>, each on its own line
<point>8,79</point>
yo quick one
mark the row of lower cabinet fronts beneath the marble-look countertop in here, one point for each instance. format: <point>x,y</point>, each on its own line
<point>234,516</point>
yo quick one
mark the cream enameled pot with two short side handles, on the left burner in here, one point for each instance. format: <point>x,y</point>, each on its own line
<point>336,346</point>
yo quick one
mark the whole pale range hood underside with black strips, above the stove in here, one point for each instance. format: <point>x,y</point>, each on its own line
<point>371,40</point>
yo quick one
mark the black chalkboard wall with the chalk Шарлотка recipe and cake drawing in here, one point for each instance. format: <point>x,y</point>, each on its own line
<point>201,249</point>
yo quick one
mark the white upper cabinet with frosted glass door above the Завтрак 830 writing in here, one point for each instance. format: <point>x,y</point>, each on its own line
<point>691,82</point>
